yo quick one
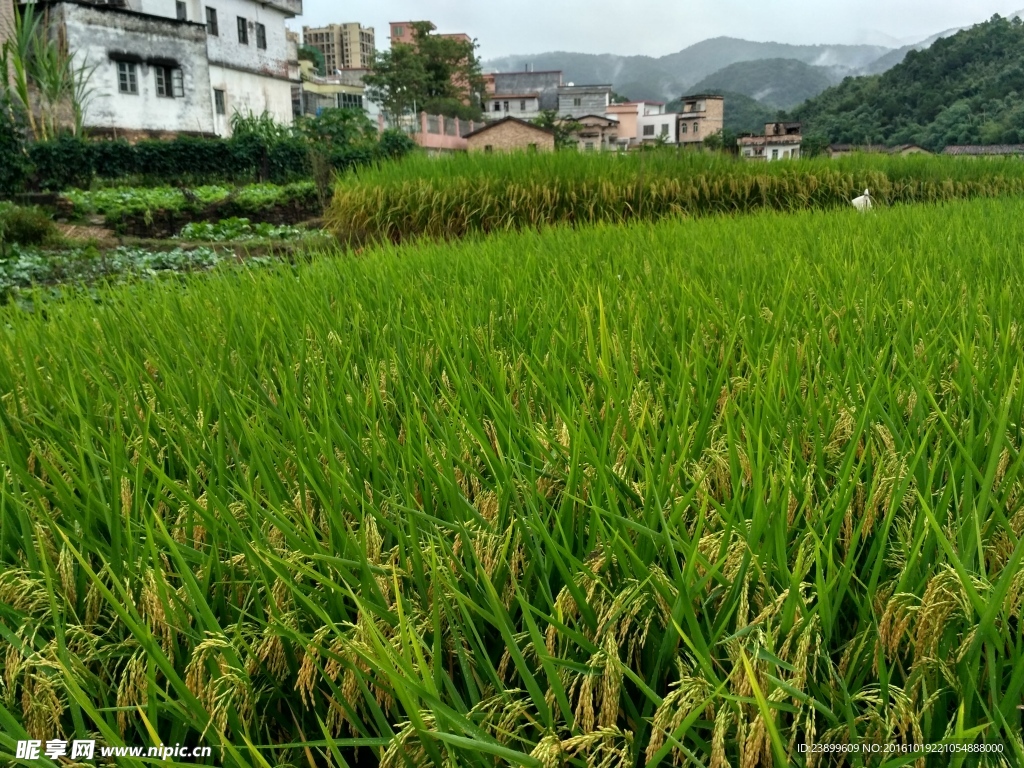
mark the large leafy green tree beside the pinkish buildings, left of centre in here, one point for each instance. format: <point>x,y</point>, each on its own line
<point>437,74</point>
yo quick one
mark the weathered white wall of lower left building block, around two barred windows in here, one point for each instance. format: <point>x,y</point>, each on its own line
<point>100,36</point>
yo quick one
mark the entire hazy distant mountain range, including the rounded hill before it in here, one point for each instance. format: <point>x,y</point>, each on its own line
<point>778,75</point>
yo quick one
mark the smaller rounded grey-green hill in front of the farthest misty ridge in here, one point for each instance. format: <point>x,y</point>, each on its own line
<point>780,83</point>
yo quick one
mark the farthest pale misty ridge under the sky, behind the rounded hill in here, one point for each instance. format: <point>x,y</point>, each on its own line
<point>670,77</point>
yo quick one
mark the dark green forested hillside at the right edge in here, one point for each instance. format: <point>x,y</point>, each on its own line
<point>966,90</point>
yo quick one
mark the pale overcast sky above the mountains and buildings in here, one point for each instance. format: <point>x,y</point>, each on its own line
<point>660,27</point>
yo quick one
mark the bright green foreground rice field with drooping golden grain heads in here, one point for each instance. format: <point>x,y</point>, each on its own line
<point>715,492</point>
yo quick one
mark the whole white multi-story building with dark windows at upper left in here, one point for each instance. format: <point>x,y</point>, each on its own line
<point>181,67</point>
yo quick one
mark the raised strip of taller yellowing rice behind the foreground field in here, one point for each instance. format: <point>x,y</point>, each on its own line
<point>452,197</point>
